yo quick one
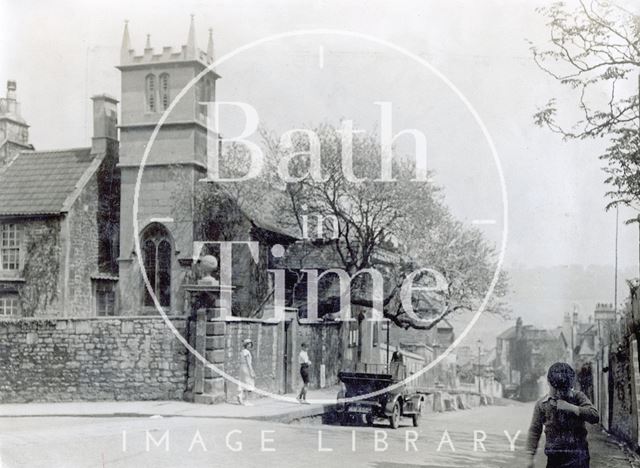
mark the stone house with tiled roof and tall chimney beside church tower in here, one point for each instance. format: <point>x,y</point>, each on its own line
<point>59,222</point>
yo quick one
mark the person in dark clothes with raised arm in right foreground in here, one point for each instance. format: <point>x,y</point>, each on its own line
<point>562,414</point>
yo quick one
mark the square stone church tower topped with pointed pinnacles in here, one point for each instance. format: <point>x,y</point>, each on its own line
<point>176,162</point>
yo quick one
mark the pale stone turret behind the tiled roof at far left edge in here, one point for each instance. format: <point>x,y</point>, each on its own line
<point>14,131</point>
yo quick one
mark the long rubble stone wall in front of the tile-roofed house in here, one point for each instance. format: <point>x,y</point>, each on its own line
<point>69,359</point>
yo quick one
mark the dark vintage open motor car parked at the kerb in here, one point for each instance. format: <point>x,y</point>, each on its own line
<point>403,401</point>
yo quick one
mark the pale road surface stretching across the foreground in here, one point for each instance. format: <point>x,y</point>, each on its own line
<point>443,440</point>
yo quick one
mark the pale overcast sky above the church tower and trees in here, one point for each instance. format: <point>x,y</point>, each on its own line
<point>62,52</point>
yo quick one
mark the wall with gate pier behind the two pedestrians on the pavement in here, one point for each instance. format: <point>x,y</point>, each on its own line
<point>276,345</point>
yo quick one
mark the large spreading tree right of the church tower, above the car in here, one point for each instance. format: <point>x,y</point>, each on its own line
<point>394,227</point>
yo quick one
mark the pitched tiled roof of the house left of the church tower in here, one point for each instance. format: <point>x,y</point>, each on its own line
<point>42,182</point>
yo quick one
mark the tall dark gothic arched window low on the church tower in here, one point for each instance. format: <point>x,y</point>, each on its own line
<point>156,253</point>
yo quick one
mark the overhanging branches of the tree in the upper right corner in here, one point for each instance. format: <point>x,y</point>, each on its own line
<point>592,48</point>
